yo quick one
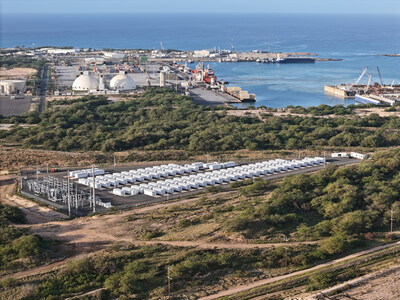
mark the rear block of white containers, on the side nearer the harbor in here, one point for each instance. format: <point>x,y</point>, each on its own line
<point>149,173</point>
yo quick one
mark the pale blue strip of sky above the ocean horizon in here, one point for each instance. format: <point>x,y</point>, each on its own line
<point>170,6</point>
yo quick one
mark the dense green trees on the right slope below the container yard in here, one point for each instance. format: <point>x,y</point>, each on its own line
<point>335,202</point>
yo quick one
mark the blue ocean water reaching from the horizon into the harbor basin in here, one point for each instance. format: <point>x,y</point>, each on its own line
<point>356,39</point>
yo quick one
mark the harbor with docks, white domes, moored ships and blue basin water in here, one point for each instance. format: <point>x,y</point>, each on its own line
<point>211,76</point>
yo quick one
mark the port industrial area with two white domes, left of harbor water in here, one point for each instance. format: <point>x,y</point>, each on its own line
<point>96,76</point>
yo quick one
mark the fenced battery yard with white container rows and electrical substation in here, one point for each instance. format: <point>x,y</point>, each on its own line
<point>85,190</point>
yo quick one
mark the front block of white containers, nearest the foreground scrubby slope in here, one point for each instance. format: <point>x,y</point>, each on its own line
<point>216,177</point>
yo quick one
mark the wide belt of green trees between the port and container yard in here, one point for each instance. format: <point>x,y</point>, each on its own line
<point>161,119</point>
